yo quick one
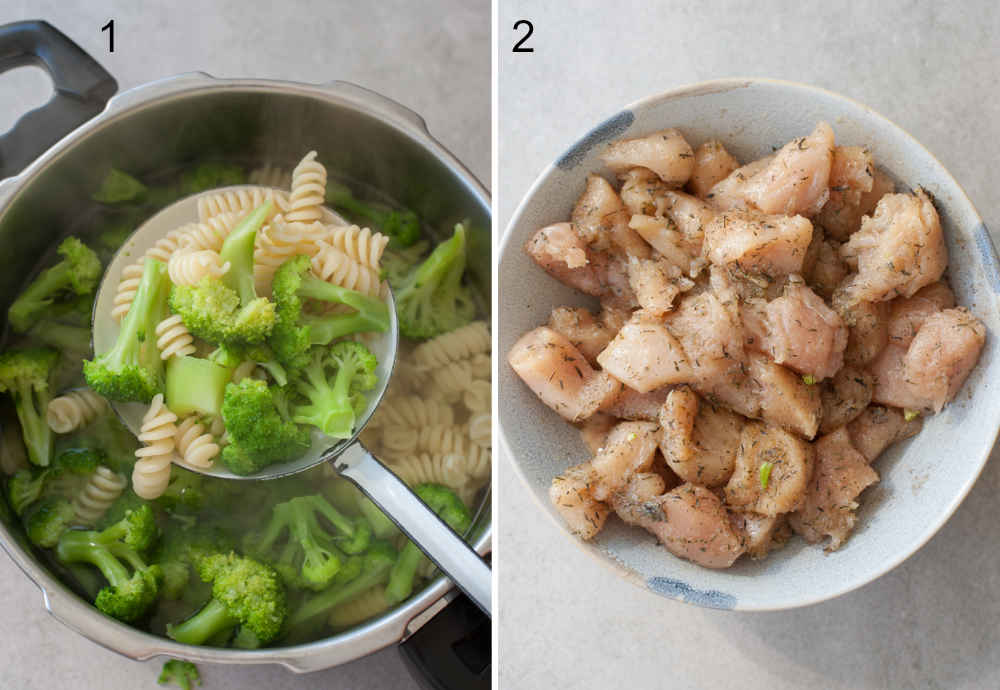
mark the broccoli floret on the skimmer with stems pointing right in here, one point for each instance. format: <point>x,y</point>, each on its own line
<point>295,330</point>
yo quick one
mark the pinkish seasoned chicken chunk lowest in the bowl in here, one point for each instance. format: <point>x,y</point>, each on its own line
<point>692,523</point>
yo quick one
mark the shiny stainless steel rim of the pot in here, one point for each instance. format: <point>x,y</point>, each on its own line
<point>81,616</point>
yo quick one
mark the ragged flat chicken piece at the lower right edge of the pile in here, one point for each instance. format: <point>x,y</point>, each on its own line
<point>840,474</point>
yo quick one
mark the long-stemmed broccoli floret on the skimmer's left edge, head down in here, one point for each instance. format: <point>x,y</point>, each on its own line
<point>132,368</point>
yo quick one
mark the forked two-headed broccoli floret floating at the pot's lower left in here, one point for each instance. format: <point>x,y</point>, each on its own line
<point>113,551</point>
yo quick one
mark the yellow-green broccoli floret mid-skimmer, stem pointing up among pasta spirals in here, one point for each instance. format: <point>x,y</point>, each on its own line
<point>228,310</point>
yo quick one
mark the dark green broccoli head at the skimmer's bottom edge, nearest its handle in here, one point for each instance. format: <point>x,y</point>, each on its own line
<point>259,435</point>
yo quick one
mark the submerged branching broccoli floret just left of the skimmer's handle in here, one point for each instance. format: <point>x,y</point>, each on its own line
<point>308,551</point>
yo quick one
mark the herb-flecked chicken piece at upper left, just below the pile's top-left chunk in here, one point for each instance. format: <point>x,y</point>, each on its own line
<point>601,219</point>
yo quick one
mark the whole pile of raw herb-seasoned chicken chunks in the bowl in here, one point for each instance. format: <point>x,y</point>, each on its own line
<point>765,332</point>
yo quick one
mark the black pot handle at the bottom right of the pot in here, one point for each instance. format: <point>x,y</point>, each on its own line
<point>452,650</point>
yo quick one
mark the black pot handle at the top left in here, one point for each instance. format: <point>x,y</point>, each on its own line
<point>82,89</point>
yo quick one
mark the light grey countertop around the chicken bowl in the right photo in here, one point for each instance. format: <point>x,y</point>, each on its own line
<point>566,621</point>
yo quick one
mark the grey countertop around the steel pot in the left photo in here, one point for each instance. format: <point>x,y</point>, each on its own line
<point>431,56</point>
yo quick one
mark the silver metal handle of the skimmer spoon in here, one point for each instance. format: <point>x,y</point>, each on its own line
<point>448,551</point>
